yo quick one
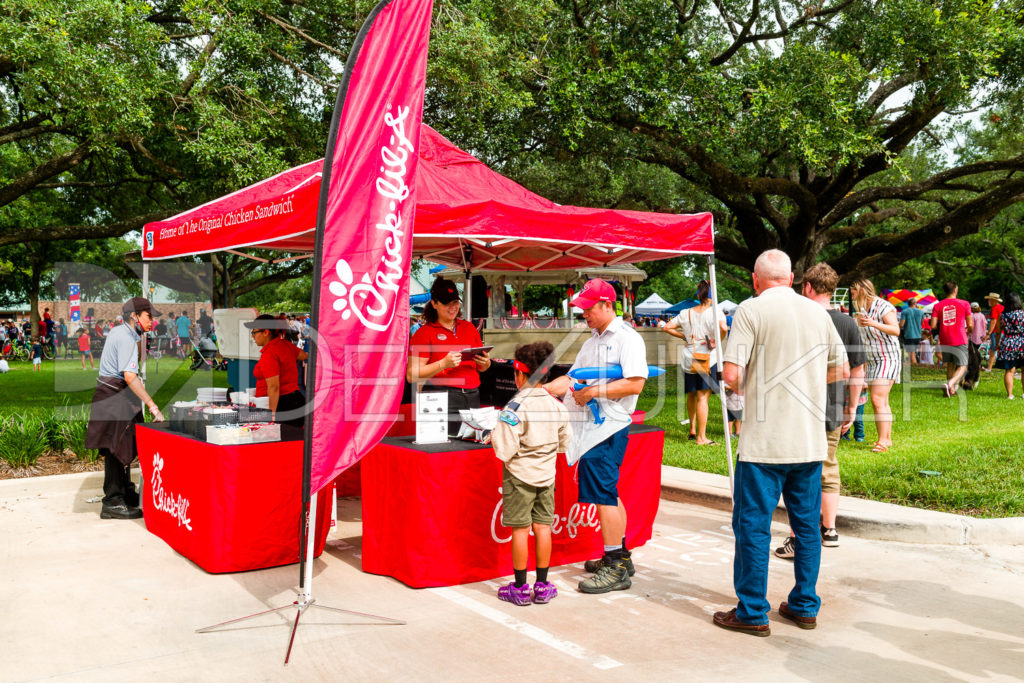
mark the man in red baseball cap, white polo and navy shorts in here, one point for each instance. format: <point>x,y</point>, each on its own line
<point>613,343</point>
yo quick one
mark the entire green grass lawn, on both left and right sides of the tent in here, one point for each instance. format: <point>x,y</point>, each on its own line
<point>976,444</point>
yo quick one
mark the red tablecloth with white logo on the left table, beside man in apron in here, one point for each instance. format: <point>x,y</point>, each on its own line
<point>227,508</point>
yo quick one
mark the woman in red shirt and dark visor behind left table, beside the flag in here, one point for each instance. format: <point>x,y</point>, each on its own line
<point>277,374</point>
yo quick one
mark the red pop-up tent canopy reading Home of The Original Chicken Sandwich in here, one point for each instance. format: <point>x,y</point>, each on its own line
<point>467,217</point>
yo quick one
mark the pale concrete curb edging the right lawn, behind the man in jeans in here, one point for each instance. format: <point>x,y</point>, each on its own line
<point>859,518</point>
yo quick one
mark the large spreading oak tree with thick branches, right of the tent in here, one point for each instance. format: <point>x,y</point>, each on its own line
<point>827,130</point>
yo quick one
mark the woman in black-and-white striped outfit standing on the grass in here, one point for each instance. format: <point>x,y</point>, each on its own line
<point>880,335</point>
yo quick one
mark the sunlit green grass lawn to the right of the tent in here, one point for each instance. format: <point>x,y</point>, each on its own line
<point>976,444</point>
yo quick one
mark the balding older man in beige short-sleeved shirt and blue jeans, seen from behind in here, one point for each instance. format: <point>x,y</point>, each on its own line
<point>783,352</point>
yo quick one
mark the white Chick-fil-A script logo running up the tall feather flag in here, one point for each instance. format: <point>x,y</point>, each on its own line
<point>374,298</point>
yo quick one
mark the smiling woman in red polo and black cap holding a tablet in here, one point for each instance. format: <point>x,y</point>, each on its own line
<point>435,353</point>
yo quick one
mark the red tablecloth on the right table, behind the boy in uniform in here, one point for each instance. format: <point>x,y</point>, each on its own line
<point>432,516</point>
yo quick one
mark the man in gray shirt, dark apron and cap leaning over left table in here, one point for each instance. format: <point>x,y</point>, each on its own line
<point>117,408</point>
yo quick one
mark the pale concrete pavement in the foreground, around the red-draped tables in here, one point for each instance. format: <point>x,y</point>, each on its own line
<point>86,600</point>
